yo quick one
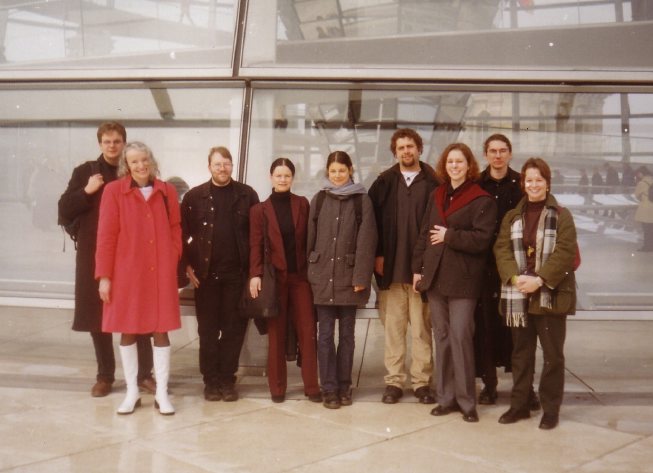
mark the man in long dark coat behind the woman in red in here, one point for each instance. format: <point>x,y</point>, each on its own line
<point>81,200</point>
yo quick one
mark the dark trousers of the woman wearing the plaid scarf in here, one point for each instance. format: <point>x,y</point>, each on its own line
<point>551,330</point>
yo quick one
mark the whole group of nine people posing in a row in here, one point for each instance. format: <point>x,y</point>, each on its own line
<point>482,262</point>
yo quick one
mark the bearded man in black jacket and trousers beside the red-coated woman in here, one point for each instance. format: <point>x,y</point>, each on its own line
<point>215,225</point>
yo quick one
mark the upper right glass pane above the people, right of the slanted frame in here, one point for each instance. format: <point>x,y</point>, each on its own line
<point>458,35</point>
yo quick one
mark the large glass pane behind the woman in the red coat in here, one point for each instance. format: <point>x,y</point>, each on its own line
<point>46,131</point>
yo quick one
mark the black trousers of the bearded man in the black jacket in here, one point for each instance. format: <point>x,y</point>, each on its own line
<point>221,330</point>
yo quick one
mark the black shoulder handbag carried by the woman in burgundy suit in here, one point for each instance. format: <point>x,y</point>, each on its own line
<point>266,305</point>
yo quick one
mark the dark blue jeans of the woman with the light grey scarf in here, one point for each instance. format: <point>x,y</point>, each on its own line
<point>335,366</point>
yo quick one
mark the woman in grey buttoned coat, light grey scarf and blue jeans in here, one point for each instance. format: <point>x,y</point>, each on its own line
<point>341,245</point>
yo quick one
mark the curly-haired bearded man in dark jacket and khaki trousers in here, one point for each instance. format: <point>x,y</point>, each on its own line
<point>399,196</point>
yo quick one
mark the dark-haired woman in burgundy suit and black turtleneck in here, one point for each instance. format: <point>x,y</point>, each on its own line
<point>285,216</point>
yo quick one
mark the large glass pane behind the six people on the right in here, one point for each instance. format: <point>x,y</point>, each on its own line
<point>580,136</point>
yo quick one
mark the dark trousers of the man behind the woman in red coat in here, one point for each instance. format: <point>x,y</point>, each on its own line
<point>106,361</point>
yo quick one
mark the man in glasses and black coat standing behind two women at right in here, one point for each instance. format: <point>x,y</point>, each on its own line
<point>492,340</point>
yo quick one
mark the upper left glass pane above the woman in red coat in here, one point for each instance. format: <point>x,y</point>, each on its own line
<point>133,34</point>
